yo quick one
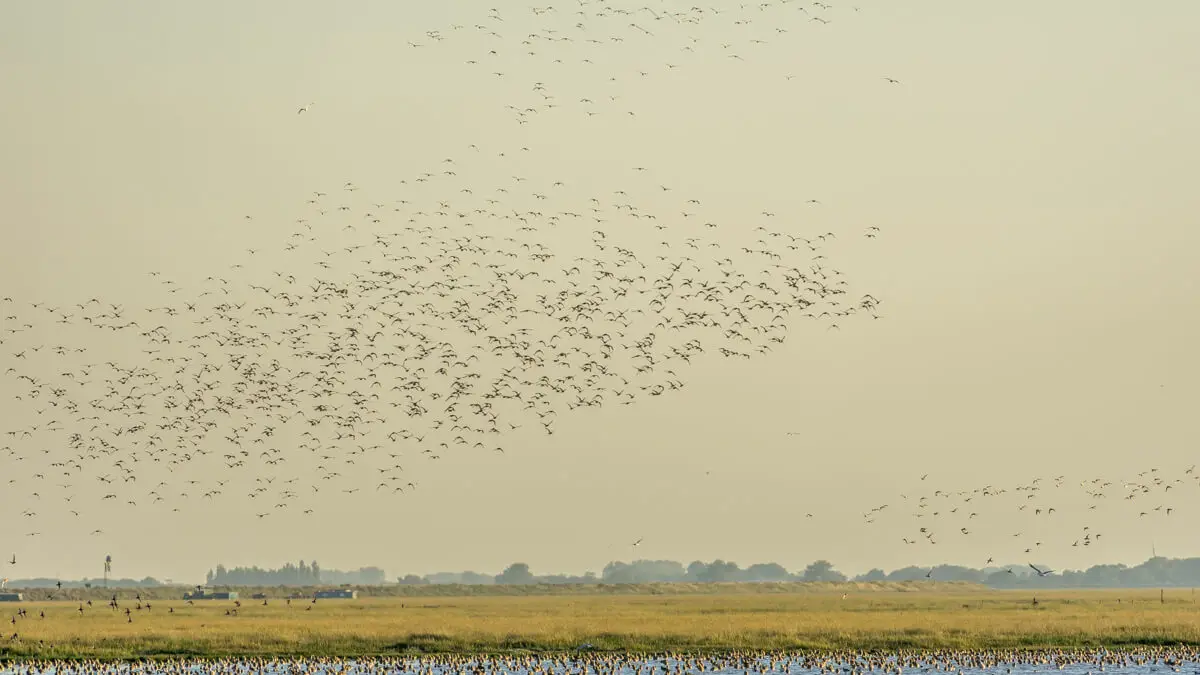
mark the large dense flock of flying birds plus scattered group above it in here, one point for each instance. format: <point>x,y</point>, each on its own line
<point>443,319</point>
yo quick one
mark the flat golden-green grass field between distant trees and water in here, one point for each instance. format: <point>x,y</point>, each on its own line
<point>875,618</point>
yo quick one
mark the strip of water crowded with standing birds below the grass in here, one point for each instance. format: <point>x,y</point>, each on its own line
<point>1069,662</point>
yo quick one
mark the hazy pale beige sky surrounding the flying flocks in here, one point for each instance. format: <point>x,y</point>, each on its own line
<point>1033,177</point>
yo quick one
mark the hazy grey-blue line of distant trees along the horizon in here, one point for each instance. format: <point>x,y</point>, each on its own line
<point>1153,574</point>
